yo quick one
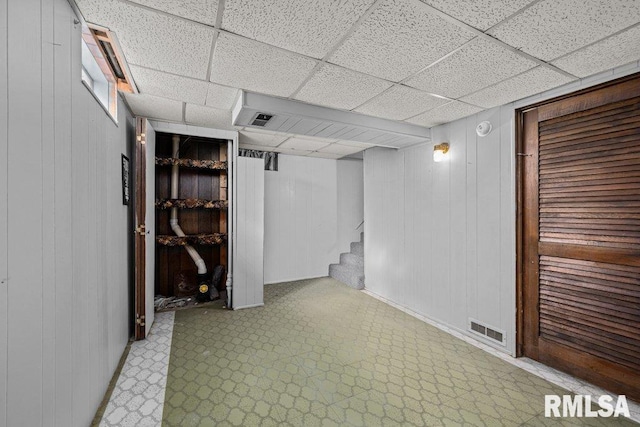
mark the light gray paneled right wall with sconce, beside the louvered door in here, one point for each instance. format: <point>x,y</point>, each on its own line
<point>440,237</point>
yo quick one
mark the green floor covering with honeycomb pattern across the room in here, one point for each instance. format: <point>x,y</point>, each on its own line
<point>320,353</point>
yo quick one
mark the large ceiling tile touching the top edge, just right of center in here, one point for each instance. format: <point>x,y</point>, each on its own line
<point>398,39</point>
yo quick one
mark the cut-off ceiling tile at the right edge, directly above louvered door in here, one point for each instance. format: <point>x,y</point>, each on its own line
<point>610,53</point>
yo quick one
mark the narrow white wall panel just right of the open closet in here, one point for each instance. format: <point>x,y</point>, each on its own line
<point>248,248</point>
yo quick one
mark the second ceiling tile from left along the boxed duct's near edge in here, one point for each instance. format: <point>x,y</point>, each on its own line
<point>338,87</point>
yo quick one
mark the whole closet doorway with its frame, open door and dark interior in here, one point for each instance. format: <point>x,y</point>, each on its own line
<point>182,219</point>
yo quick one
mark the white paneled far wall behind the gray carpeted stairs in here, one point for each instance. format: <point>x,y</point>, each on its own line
<point>309,219</point>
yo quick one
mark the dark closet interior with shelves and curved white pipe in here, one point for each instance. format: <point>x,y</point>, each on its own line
<point>198,206</point>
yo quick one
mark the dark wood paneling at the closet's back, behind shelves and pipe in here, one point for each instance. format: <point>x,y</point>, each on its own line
<point>194,183</point>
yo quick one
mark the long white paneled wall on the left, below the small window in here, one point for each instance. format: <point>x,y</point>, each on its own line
<point>64,303</point>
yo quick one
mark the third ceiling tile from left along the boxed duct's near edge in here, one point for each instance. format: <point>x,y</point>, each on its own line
<point>399,103</point>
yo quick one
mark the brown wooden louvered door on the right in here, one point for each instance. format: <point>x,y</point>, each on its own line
<point>580,235</point>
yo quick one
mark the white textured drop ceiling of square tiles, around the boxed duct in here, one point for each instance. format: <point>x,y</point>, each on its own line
<point>423,62</point>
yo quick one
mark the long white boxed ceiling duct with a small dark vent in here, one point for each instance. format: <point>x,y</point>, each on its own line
<point>298,118</point>
